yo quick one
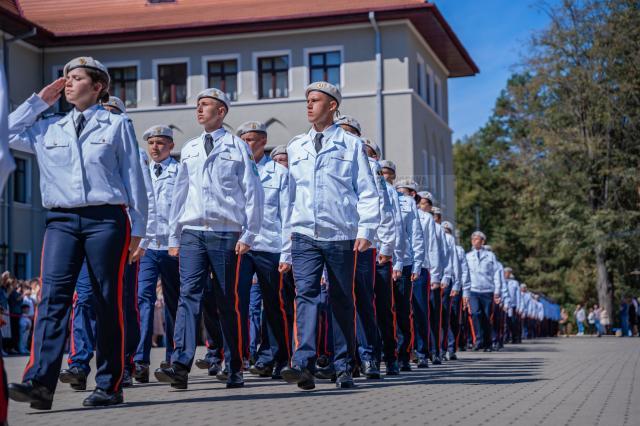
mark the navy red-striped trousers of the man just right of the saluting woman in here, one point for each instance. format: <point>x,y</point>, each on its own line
<point>201,252</point>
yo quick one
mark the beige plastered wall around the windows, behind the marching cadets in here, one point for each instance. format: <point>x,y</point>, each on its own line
<point>412,129</point>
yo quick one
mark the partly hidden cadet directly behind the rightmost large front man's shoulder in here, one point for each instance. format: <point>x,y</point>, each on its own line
<point>381,253</point>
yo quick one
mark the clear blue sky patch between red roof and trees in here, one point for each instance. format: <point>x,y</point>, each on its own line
<point>495,32</point>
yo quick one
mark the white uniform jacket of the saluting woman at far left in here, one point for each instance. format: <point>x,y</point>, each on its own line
<point>100,167</point>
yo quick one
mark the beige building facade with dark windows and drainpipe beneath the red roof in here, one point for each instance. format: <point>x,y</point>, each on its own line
<point>391,62</point>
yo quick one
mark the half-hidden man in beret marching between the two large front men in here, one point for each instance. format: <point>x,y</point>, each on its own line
<point>270,254</point>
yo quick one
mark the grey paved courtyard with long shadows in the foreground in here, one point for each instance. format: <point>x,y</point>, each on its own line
<point>575,381</point>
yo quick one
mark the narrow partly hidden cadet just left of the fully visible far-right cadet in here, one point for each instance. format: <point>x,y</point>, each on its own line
<point>457,318</point>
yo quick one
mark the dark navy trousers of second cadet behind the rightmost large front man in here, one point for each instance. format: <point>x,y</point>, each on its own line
<point>386,344</point>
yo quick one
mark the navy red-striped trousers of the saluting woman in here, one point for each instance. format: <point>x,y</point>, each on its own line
<point>101,234</point>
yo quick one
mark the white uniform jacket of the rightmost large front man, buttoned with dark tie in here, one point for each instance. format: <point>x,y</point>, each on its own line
<point>332,192</point>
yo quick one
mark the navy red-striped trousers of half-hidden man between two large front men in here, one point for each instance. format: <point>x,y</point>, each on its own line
<point>270,288</point>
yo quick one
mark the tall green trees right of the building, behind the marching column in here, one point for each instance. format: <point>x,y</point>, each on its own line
<point>554,171</point>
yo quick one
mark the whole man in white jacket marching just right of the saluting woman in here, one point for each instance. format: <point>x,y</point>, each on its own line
<point>216,214</point>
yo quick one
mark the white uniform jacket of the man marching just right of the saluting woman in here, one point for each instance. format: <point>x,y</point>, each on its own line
<point>217,192</point>
